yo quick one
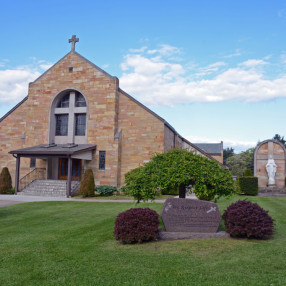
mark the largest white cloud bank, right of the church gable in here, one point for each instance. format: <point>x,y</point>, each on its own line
<point>158,80</point>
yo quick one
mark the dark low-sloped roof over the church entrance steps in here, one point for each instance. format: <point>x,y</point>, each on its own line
<point>53,150</point>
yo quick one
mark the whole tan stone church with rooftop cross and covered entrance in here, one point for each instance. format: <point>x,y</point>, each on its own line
<point>74,117</point>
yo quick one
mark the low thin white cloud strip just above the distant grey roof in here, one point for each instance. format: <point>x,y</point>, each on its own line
<point>237,145</point>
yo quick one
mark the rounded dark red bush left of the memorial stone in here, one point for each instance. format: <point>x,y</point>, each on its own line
<point>136,225</point>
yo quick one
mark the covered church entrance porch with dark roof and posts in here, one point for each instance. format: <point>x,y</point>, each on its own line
<point>68,157</point>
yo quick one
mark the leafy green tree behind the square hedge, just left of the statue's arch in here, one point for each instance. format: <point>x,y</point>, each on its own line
<point>240,162</point>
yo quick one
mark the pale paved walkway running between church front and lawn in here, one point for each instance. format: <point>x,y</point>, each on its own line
<point>7,200</point>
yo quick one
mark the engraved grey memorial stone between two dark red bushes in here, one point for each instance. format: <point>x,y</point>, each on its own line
<point>186,215</point>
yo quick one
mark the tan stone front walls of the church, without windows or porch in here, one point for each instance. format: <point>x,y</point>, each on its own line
<point>118,124</point>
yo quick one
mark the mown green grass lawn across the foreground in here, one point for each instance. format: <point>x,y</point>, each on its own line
<point>71,243</point>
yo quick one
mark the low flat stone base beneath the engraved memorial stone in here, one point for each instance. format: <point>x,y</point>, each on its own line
<point>165,235</point>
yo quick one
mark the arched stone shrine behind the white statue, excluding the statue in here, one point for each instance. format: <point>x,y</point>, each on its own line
<point>262,153</point>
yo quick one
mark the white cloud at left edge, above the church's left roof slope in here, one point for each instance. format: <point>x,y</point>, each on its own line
<point>14,84</point>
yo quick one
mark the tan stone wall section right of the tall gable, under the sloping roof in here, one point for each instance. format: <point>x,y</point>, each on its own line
<point>142,134</point>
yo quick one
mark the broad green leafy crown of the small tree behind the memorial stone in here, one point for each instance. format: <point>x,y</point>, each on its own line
<point>169,170</point>
